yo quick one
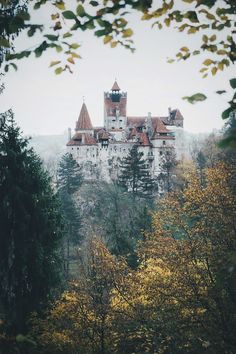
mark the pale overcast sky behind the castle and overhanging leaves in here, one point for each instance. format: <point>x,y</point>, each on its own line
<point>46,104</point>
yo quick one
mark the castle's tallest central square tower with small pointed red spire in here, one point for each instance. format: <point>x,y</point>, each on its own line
<point>115,102</point>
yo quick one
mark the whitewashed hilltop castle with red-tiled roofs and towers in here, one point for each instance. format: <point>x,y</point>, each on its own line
<point>99,150</point>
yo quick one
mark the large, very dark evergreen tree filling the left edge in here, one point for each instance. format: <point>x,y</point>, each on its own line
<point>30,234</point>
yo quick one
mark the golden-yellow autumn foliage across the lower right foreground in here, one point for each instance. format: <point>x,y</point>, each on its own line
<point>181,298</point>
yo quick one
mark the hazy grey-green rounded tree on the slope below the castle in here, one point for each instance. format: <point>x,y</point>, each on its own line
<point>116,217</point>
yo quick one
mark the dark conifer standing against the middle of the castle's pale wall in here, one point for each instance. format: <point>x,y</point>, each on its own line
<point>135,176</point>
